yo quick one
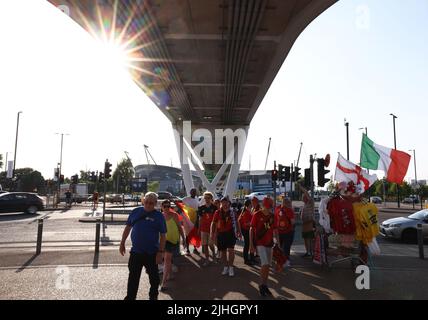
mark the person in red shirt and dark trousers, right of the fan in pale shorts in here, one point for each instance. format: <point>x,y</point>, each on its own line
<point>284,226</point>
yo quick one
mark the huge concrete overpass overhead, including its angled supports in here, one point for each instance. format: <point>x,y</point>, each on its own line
<point>206,64</point>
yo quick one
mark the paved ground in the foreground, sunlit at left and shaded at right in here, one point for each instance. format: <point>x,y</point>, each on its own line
<point>80,274</point>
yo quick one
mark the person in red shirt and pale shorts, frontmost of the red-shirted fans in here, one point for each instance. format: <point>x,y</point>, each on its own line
<point>262,231</point>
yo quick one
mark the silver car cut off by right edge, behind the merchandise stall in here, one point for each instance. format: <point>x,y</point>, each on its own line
<point>405,228</point>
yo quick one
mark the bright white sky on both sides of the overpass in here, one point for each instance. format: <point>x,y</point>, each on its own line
<point>360,60</point>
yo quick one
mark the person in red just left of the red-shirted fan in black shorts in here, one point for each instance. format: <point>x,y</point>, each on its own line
<point>205,216</point>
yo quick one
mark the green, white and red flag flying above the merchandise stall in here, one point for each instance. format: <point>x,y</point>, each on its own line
<point>394,162</point>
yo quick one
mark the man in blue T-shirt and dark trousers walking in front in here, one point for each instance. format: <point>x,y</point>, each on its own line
<point>148,245</point>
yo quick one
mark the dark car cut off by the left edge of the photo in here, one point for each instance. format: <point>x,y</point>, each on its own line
<point>21,202</point>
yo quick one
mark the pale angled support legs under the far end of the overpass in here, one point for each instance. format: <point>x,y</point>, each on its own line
<point>214,151</point>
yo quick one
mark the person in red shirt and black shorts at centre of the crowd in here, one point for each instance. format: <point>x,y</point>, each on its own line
<point>226,226</point>
